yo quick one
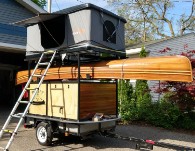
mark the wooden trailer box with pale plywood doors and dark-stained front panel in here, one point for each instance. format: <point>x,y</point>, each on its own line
<point>73,100</point>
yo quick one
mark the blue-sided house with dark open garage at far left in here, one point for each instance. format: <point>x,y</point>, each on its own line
<point>13,44</point>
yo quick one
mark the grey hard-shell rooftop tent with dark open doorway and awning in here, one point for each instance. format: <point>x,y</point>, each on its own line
<point>78,28</point>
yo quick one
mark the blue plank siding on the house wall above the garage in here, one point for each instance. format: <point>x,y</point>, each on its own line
<point>10,12</point>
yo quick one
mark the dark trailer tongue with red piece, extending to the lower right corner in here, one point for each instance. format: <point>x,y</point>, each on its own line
<point>147,144</point>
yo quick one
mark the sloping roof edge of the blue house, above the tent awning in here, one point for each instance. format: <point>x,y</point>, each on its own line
<point>31,6</point>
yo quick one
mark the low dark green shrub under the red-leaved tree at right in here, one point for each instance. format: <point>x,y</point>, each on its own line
<point>168,115</point>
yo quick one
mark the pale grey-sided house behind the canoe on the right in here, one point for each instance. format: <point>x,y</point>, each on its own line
<point>170,46</point>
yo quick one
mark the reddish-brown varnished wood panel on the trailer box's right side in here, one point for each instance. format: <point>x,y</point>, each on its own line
<point>97,98</point>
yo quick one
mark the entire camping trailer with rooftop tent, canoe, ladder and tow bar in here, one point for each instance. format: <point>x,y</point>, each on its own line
<point>80,63</point>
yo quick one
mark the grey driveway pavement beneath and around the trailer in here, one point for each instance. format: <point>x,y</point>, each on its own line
<point>26,140</point>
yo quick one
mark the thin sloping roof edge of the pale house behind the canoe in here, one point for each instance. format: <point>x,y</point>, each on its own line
<point>156,41</point>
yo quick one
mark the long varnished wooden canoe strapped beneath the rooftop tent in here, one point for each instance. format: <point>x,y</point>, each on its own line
<point>168,68</point>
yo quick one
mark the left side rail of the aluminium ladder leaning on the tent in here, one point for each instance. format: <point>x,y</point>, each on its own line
<point>19,99</point>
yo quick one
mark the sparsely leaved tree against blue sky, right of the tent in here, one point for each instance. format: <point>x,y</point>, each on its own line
<point>148,20</point>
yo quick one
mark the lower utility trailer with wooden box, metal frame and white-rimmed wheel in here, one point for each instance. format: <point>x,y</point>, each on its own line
<point>64,108</point>
